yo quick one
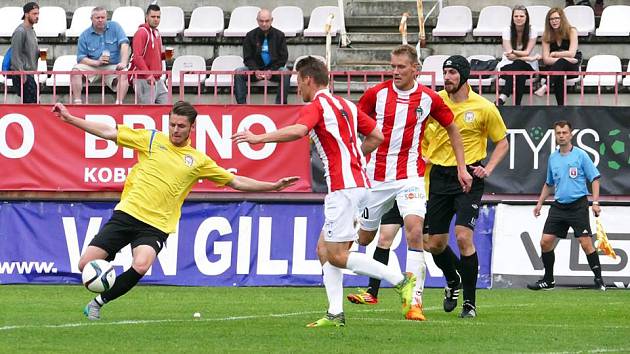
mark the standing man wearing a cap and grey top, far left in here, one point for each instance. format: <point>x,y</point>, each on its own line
<point>24,55</point>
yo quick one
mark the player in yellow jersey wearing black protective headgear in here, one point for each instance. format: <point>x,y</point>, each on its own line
<point>478,119</point>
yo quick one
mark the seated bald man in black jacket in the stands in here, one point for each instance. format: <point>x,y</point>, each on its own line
<point>264,49</point>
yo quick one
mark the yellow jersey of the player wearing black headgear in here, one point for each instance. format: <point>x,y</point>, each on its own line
<point>477,119</point>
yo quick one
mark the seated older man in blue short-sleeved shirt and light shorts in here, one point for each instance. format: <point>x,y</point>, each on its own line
<point>103,46</point>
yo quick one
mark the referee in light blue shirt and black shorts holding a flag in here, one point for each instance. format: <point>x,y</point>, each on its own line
<point>569,170</point>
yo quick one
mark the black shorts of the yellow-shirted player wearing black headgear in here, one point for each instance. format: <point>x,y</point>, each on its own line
<point>446,199</point>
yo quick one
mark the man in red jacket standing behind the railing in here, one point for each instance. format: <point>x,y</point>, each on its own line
<point>148,55</point>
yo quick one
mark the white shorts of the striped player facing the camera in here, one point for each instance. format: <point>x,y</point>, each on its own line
<point>409,193</point>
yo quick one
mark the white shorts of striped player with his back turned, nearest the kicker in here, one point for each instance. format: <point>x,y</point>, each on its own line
<point>341,208</point>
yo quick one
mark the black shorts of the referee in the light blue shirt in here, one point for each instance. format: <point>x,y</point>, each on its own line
<point>562,216</point>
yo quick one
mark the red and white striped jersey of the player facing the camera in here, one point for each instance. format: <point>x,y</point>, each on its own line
<point>401,116</point>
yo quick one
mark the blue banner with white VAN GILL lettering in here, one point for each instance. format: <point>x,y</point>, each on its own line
<point>217,244</point>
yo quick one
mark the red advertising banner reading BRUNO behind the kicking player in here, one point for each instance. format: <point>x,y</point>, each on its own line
<point>38,152</point>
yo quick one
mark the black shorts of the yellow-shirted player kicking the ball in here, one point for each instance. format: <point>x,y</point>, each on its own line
<point>123,229</point>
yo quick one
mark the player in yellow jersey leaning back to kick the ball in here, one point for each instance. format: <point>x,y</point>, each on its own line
<point>150,204</point>
